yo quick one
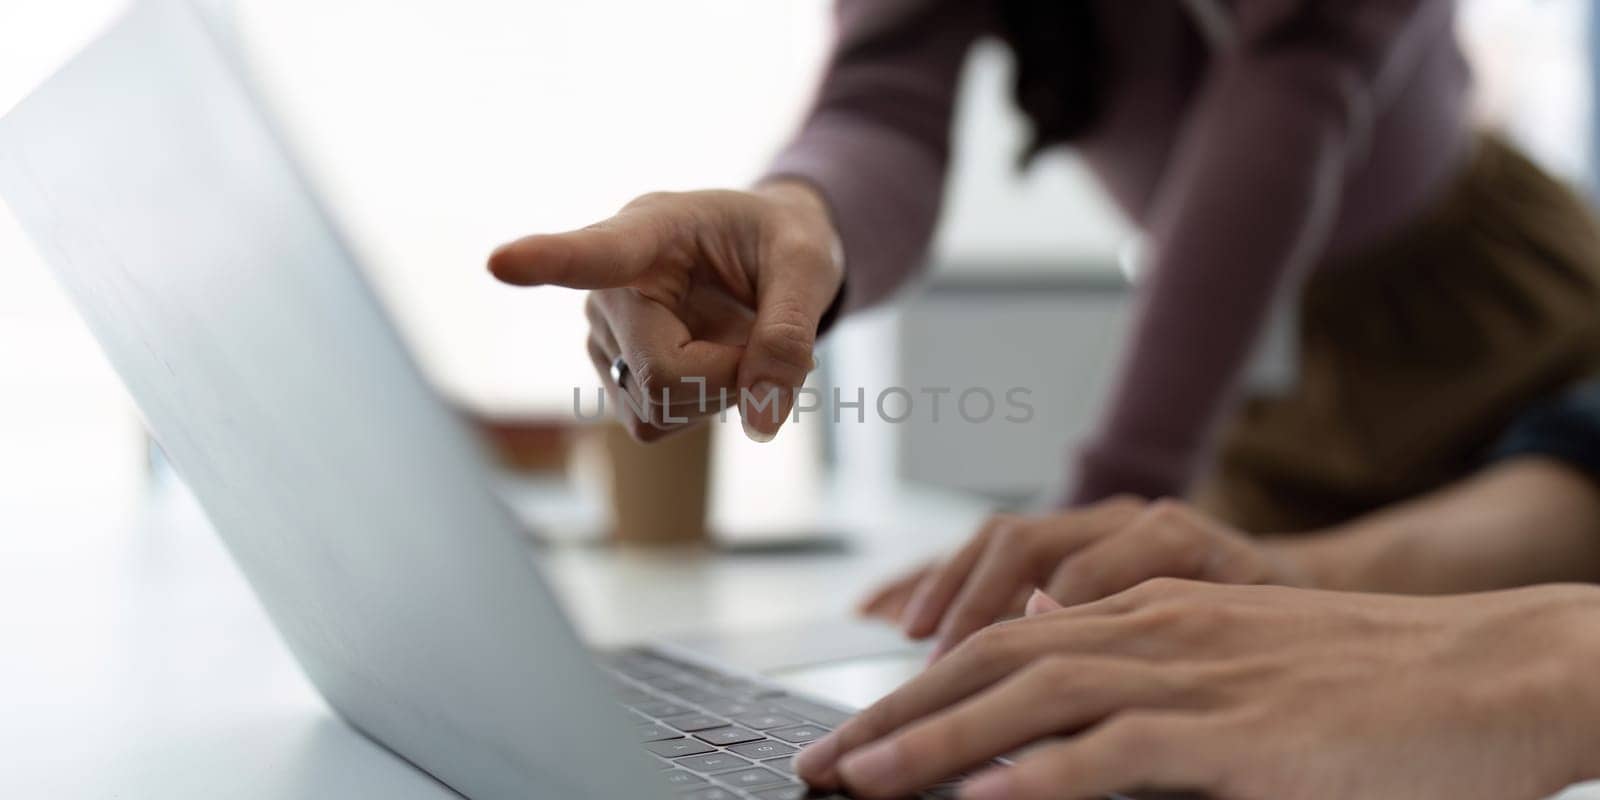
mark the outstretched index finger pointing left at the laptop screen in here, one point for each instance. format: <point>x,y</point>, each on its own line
<point>606,255</point>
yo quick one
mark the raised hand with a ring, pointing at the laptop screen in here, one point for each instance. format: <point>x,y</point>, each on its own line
<point>706,297</point>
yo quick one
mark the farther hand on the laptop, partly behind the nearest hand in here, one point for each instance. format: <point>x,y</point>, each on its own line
<point>1076,558</point>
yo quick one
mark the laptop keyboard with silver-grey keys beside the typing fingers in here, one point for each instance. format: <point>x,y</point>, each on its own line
<point>719,737</point>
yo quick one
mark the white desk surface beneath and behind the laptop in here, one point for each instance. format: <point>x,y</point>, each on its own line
<point>138,665</point>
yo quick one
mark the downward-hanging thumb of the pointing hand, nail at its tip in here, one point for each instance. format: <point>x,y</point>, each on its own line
<point>790,303</point>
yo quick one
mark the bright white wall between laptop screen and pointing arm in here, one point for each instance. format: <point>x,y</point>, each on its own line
<point>441,129</point>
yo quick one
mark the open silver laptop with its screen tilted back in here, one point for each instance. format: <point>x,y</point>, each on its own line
<point>358,506</point>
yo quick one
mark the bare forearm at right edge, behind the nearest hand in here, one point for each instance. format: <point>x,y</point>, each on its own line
<point>1519,524</point>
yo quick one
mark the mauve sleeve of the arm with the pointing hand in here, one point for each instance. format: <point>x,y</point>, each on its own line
<point>878,140</point>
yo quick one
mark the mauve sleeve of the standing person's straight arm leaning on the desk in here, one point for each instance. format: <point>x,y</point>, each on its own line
<point>1246,209</point>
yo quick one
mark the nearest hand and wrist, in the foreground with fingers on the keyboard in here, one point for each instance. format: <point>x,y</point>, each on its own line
<point>1247,694</point>
